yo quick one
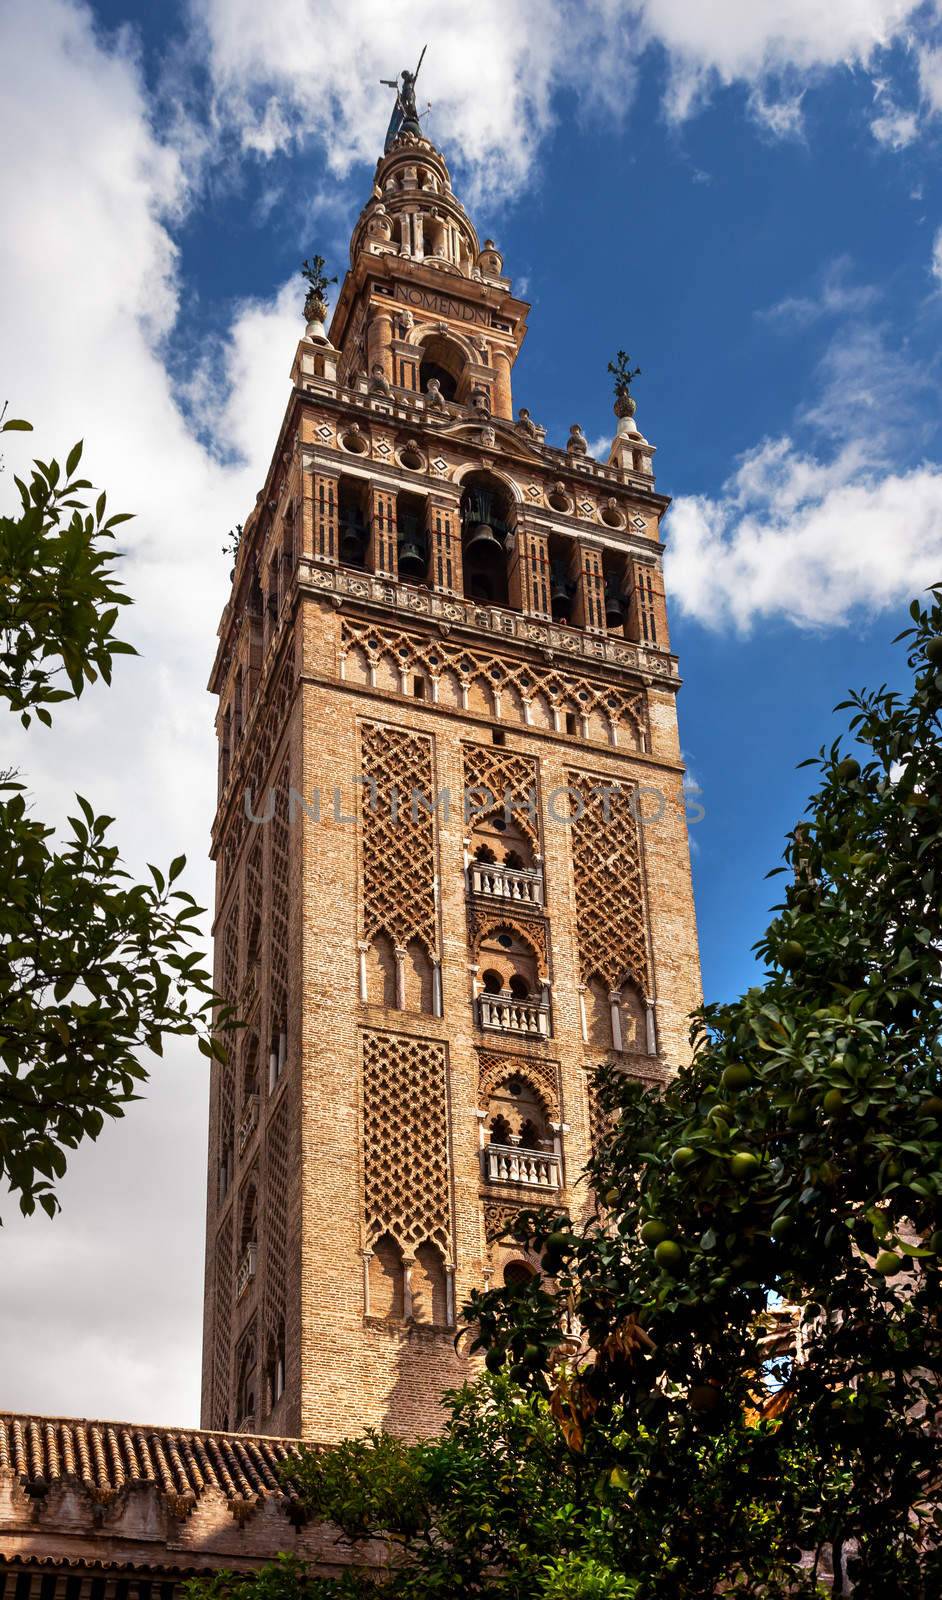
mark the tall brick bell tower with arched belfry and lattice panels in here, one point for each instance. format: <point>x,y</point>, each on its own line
<point>452,849</point>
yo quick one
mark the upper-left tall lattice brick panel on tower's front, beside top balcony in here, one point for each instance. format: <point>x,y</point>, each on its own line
<point>399,838</point>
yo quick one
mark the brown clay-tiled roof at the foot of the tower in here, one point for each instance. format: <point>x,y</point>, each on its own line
<point>110,1457</point>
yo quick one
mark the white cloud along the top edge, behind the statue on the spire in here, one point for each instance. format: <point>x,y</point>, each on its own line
<point>293,70</point>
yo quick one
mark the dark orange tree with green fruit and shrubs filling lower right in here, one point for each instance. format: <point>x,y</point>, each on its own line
<point>661,1454</point>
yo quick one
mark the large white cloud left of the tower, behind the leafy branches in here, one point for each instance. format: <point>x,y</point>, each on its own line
<point>111,1292</point>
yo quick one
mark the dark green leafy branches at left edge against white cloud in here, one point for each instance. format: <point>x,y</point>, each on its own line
<point>94,967</point>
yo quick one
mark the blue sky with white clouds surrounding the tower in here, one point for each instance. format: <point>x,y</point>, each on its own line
<point>746,196</point>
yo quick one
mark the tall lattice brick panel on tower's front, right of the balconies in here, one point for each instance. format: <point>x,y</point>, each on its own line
<point>610,898</point>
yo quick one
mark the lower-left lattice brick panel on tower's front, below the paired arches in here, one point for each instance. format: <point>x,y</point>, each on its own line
<point>405,1142</point>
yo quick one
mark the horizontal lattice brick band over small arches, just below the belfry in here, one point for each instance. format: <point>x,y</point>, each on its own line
<point>565,692</point>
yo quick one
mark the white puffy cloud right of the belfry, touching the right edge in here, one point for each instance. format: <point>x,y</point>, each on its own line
<point>805,542</point>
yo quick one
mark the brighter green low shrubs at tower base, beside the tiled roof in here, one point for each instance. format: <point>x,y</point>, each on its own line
<point>495,1506</point>
